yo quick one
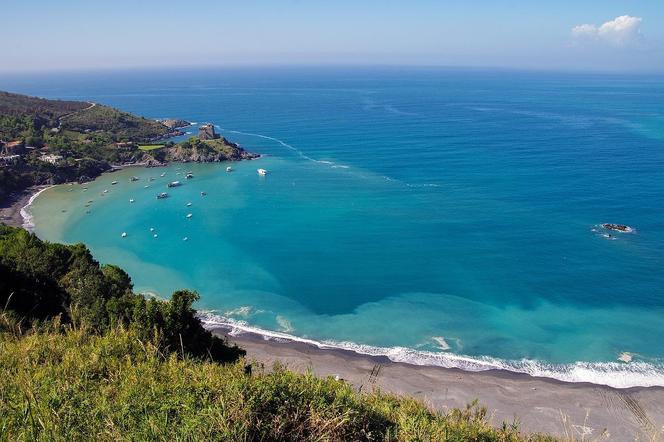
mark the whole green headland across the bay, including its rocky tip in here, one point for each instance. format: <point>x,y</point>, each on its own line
<point>90,137</point>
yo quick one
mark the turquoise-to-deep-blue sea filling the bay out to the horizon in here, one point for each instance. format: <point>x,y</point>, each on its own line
<point>437,216</point>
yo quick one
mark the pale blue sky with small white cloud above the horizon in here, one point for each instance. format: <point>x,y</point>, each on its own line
<point>580,35</point>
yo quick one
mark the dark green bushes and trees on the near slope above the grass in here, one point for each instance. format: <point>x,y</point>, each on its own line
<point>40,281</point>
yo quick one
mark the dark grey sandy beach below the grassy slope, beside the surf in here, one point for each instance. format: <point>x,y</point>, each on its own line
<point>575,410</point>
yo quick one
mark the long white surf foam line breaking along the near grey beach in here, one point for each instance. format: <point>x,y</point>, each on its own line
<point>613,374</point>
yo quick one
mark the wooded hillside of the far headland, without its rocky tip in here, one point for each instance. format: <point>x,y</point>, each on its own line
<point>84,134</point>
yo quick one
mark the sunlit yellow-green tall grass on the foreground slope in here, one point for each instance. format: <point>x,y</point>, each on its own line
<point>75,385</point>
